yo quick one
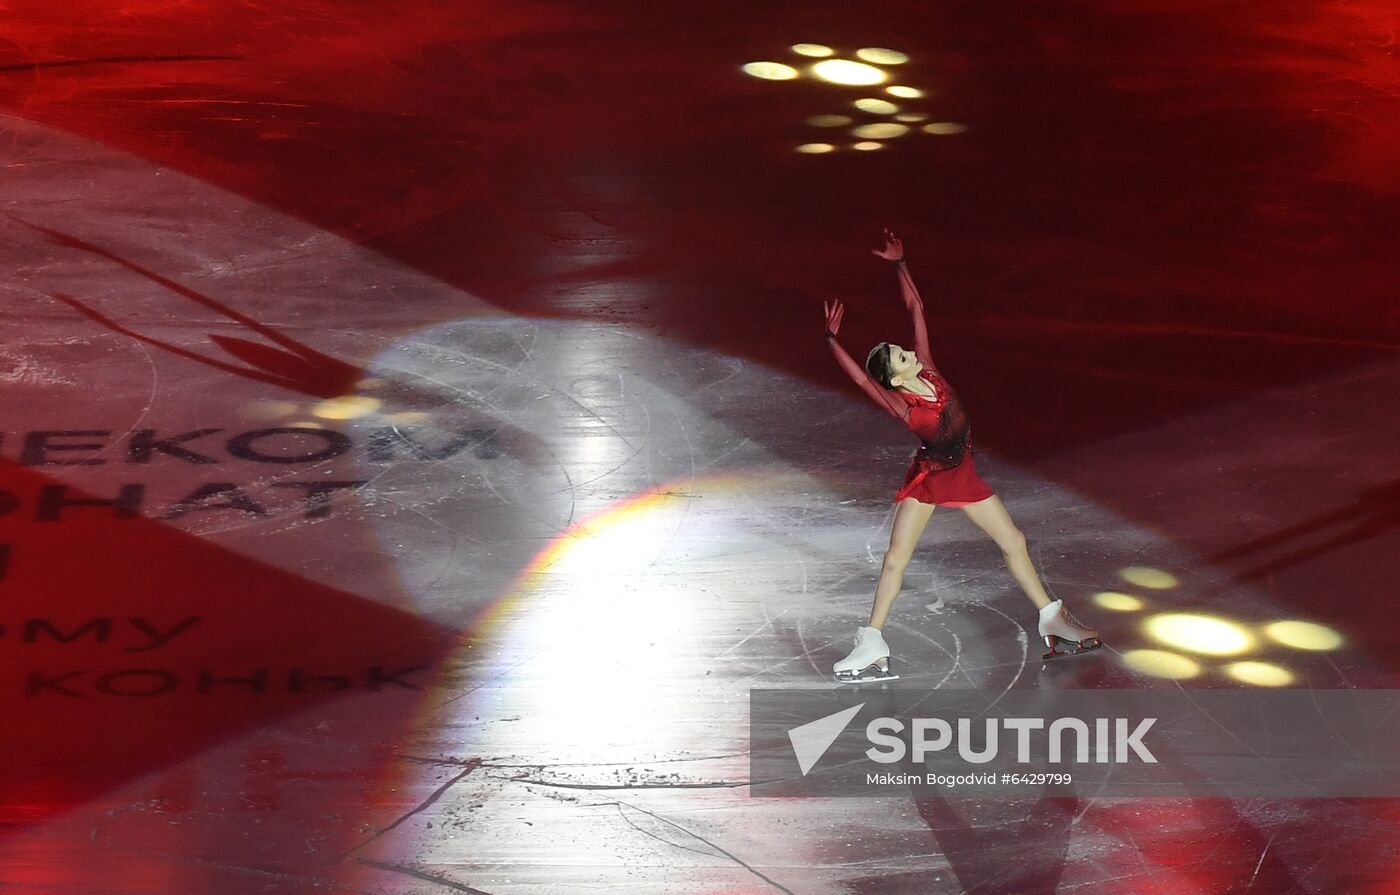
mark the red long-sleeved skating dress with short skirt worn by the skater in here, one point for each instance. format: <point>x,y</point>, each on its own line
<point>943,471</point>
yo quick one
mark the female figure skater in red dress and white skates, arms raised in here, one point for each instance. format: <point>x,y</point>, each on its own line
<point>943,474</point>
